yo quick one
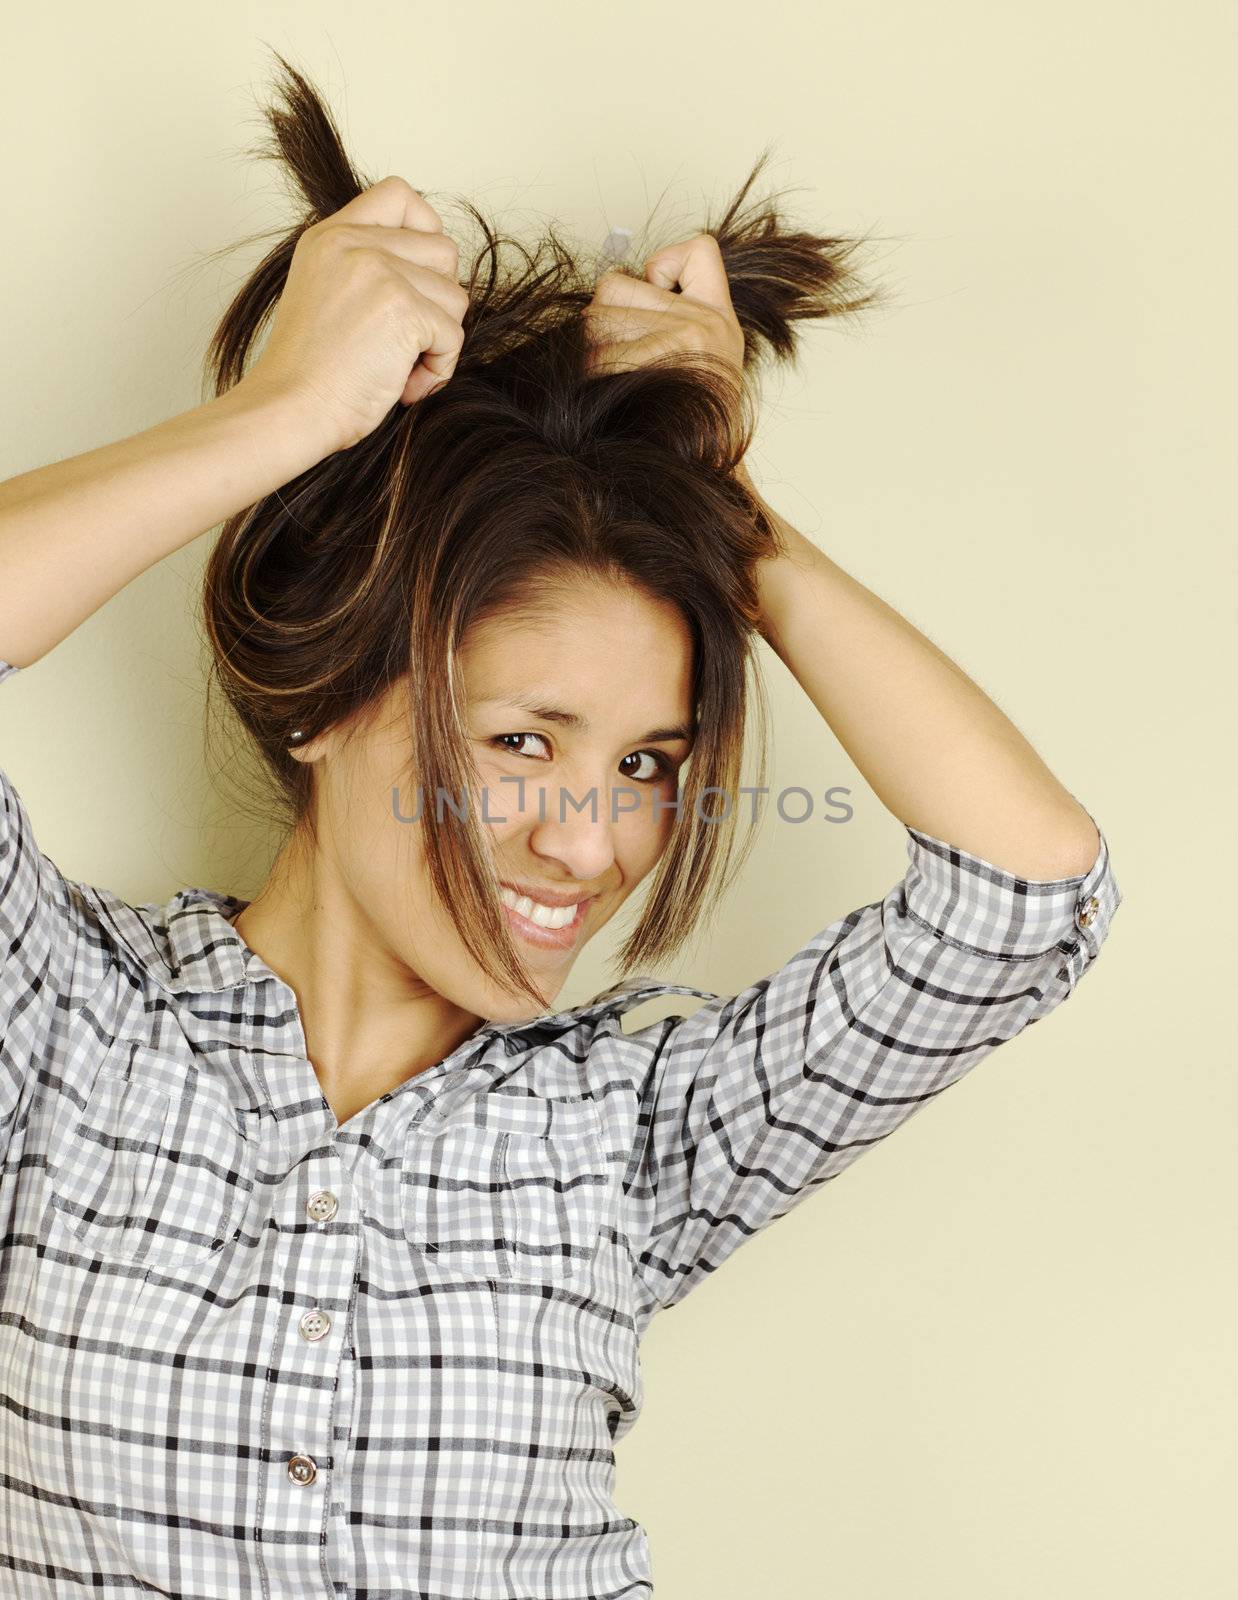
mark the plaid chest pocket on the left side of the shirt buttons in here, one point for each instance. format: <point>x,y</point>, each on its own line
<point>159,1167</point>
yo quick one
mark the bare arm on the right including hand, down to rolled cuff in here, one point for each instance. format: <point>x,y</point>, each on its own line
<point>935,750</point>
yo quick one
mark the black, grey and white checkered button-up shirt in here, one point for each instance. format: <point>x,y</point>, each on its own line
<point>250,1354</point>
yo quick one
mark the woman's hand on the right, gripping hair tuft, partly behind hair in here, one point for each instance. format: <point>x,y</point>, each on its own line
<point>633,321</point>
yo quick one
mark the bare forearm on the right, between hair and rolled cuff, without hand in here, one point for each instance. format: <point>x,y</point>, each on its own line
<point>933,748</point>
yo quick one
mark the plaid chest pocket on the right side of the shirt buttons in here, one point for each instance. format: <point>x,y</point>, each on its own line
<point>508,1186</point>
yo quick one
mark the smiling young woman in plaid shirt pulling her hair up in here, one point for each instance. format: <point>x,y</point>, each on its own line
<point>329,1246</point>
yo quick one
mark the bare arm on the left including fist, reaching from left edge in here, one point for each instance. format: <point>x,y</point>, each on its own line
<point>370,314</point>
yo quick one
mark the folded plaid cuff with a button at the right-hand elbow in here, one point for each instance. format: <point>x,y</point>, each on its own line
<point>972,903</point>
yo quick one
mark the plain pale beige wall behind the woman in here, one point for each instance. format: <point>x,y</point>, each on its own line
<point>999,1358</point>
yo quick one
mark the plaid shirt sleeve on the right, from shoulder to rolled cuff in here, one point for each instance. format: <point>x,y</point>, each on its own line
<point>754,1102</point>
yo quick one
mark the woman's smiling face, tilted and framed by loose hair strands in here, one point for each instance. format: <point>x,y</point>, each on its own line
<point>580,719</point>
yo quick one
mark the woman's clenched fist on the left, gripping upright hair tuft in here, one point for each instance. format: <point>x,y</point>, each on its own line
<point>370,314</point>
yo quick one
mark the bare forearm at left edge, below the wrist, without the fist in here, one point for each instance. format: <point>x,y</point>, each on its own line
<point>78,532</point>
